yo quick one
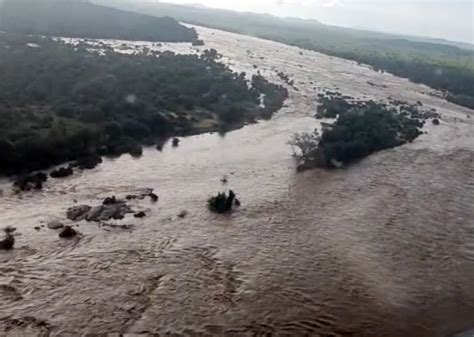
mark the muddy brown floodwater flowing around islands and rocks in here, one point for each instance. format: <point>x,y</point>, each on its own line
<point>384,248</point>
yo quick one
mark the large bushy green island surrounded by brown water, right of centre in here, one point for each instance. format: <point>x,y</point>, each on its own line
<point>359,128</point>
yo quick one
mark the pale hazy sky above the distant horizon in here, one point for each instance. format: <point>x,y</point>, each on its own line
<point>450,19</point>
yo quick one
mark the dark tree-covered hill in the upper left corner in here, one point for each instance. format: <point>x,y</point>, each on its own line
<point>75,18</point>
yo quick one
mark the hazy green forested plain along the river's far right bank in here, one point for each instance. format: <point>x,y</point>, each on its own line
<point>441,66</point>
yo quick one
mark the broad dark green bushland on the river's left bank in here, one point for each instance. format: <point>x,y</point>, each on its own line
<point>61,102</point>
